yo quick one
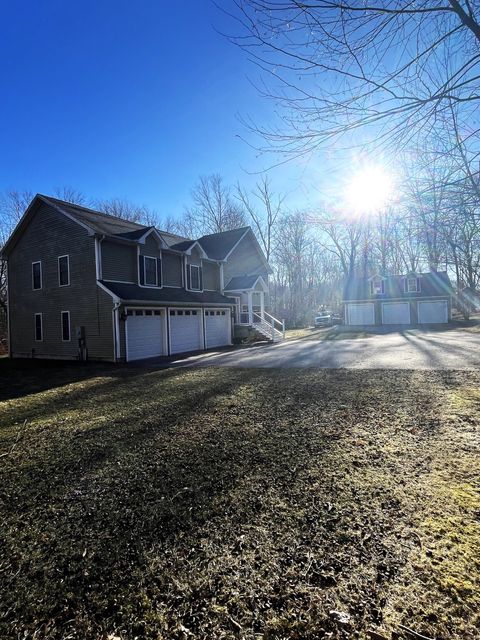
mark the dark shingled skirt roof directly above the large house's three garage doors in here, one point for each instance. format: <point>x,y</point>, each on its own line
<point>130,292</point>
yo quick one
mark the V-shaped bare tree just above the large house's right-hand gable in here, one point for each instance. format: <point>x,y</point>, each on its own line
<point>264,209</point>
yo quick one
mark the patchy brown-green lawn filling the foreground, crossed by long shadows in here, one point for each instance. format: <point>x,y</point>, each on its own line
<point>221,503</point>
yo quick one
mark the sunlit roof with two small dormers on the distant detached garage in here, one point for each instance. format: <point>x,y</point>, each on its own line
<point>433,283</point>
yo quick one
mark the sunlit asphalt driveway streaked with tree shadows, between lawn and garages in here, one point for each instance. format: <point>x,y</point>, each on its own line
<point>412,349</point>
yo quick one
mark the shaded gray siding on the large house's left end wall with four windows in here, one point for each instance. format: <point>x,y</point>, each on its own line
<point>48,236</point>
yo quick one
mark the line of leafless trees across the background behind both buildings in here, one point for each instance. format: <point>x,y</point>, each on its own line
<point>432,223</point>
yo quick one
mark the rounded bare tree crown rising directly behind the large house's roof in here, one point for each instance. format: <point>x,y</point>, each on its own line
<point>213,210</point>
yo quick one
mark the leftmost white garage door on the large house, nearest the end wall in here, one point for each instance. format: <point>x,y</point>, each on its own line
<point>145,333</point>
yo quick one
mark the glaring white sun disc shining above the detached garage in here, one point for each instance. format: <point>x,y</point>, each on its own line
<point>369,190</point>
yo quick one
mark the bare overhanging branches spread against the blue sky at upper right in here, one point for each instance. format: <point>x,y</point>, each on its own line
<point>387,67</point>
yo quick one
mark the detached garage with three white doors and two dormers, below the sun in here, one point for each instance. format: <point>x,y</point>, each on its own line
<point>412,299</point>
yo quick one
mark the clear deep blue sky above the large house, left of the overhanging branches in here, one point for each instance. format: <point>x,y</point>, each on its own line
<point>130,100</point>
